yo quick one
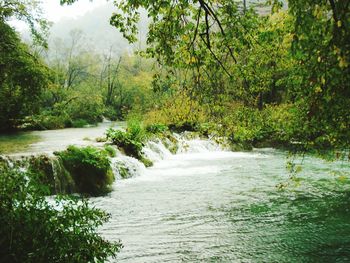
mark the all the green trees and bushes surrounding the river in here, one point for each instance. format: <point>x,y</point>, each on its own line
<point>257,73</point>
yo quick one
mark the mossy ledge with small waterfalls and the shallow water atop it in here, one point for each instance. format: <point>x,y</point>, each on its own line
<point>64,170</point>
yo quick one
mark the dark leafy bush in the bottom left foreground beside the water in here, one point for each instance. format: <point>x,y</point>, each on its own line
<point>36,230</point>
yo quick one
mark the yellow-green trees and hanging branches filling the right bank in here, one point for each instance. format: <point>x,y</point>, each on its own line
<point>281,77</point>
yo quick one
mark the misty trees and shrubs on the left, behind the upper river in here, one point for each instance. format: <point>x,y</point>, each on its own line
<point>72,86</point>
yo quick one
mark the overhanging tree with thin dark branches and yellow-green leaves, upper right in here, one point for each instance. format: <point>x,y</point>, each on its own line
<point>206,48</point>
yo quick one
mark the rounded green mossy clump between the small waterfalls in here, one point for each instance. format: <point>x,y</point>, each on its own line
<point>90,169</point>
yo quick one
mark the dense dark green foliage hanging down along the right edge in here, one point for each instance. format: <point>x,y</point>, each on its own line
<point>321,47</point>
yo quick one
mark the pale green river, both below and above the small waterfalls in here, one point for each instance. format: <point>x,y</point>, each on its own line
<point>209,205</point>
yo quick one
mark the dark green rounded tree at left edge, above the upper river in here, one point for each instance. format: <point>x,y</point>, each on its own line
<point>22,78</point>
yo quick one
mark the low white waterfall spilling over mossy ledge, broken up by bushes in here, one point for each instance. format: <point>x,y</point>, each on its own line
<point>52,172</point>
